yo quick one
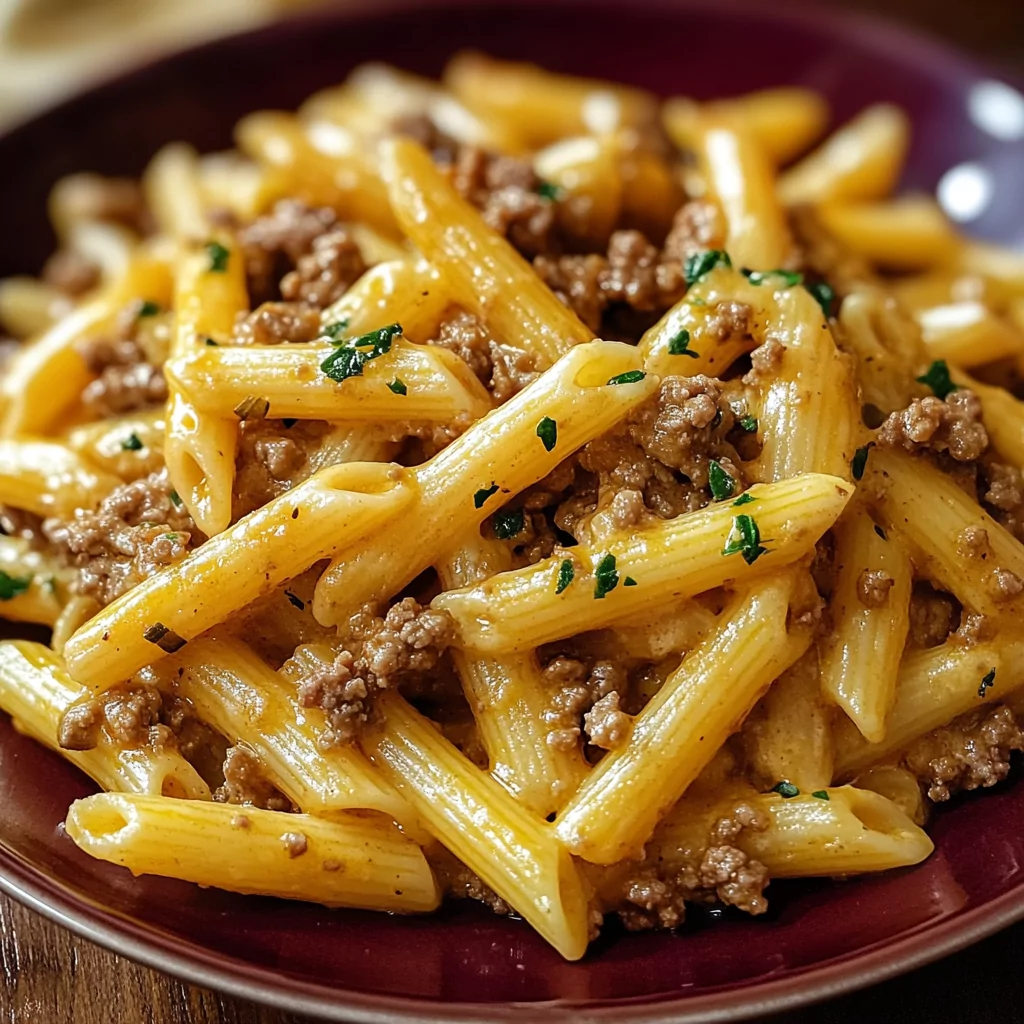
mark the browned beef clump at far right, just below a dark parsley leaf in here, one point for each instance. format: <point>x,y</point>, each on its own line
<point>932,424</point>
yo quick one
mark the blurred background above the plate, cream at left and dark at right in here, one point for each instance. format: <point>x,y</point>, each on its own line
<point>50,49</point>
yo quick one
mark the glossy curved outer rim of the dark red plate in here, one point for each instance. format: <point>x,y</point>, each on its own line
<point>46,894</point>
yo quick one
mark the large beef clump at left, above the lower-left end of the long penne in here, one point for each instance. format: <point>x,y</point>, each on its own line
<point>138,531</point>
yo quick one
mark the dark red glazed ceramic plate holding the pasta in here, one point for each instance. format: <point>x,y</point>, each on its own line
<point>820,940</point>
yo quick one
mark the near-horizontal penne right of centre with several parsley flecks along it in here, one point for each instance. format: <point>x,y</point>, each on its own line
<point>669,561</point>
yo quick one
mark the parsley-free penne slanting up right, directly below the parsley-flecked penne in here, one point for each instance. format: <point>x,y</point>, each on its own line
<point>682,728</point>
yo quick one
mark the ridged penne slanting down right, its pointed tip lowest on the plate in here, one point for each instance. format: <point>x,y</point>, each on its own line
<point>516,854</point>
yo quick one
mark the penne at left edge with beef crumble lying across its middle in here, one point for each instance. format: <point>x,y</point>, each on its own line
<point>36,691</point>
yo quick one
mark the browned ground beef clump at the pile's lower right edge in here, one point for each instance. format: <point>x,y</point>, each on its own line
<point>970,753</point>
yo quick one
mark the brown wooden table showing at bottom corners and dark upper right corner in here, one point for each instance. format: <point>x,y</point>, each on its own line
<point>49,976</point>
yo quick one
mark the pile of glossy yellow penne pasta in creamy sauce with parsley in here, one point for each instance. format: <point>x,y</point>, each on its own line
<point>881,306</point>
